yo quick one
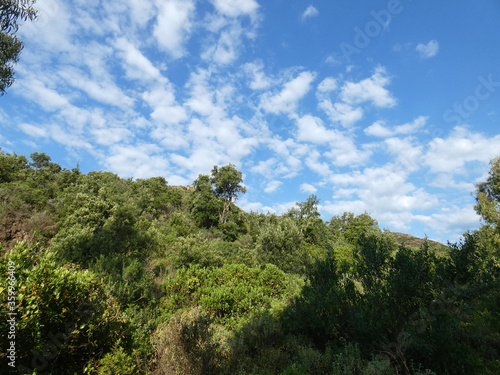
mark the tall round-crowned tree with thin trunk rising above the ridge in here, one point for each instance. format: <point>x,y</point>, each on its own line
<point>227,184</point>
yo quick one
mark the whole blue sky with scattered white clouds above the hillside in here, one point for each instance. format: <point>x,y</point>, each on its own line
<point>384,107</point>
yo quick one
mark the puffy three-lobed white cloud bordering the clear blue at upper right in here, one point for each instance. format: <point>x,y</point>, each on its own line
<point>369,90</point>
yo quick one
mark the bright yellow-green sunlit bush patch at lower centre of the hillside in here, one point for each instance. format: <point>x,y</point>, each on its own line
<point>231,293</point>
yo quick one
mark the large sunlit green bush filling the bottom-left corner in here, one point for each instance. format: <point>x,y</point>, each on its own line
<point>64,317</point>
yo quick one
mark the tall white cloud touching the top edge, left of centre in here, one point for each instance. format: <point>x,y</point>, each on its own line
<point>174,23</point>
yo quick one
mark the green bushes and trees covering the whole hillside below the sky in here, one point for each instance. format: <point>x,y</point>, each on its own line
<point>117,276</point>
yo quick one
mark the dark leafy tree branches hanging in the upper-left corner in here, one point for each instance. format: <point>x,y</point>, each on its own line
<point>10,46</point>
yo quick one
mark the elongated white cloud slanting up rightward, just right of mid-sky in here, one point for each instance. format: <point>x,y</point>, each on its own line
<point>292,92</point>
